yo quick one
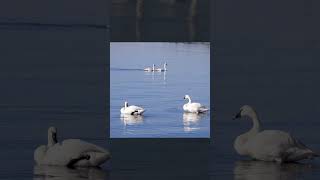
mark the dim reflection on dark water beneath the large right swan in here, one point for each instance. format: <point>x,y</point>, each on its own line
<point>252,170</point>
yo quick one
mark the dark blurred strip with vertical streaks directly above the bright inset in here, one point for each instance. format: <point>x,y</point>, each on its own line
<point>160,20</point>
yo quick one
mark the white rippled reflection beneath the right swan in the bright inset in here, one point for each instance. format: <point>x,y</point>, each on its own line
<point>191,121</point>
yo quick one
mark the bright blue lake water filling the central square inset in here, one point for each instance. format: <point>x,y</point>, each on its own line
<point>160,93</point>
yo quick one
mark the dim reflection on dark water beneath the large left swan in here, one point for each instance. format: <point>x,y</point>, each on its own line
<point>64,173</point>
